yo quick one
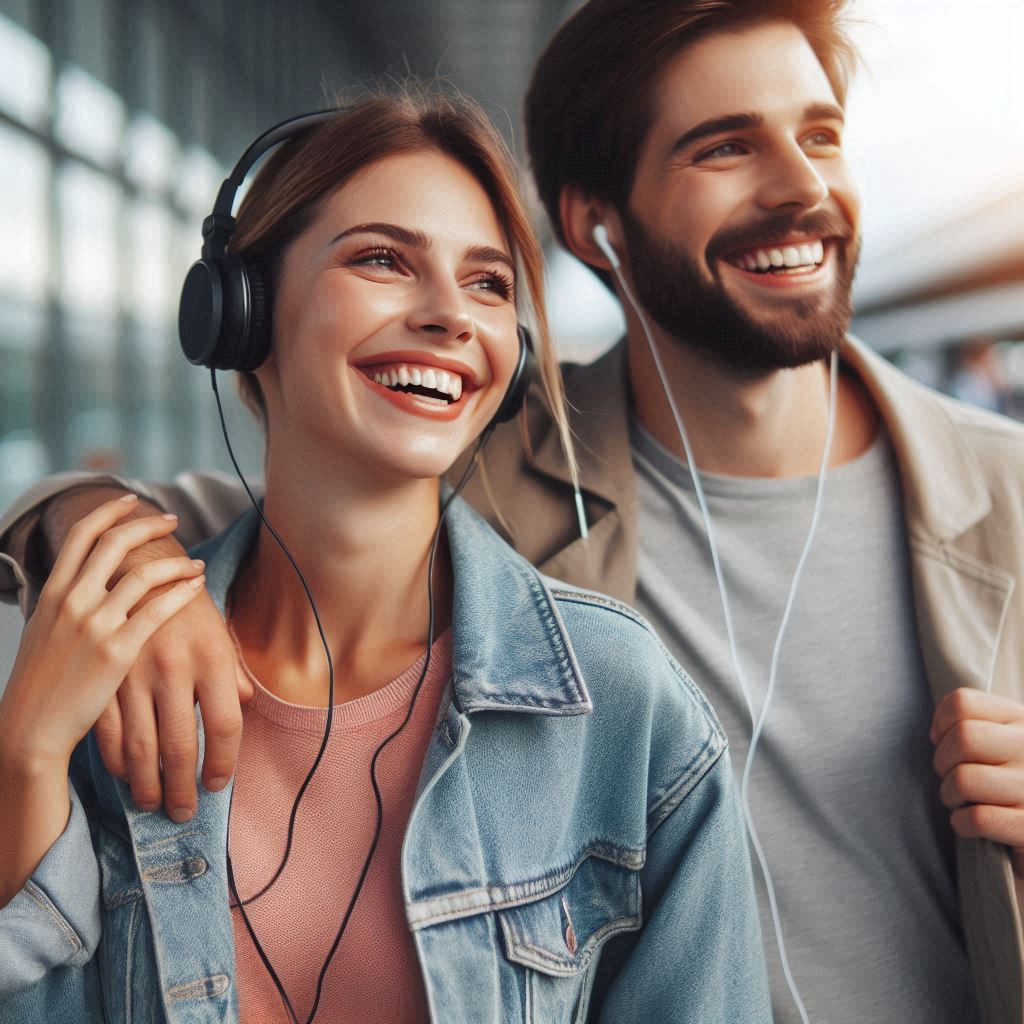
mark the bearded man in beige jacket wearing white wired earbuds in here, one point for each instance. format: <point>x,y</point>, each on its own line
<point>707,139</point>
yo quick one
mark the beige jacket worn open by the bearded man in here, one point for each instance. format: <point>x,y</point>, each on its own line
<point>963,476</point>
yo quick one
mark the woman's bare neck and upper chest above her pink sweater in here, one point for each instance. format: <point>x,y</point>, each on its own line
<point>364,551</point>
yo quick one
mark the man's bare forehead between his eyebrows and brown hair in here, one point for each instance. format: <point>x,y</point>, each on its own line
<point>766,69</point>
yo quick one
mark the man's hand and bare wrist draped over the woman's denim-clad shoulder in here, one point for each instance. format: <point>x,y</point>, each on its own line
<point>150,729</point>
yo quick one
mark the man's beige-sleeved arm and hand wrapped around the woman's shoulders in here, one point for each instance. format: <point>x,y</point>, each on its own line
<point>191,659</point>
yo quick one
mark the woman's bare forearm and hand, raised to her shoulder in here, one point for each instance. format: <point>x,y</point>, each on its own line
<point>74,654</point>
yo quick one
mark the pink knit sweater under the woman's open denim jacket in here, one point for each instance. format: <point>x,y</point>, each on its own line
<point>375,976</point>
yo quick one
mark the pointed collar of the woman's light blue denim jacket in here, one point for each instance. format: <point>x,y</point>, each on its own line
<point>531,669</point>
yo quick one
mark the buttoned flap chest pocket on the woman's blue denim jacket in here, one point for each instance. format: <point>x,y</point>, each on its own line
<point>559,938</point>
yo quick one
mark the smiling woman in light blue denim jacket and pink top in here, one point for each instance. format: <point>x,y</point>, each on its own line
<point>531,821</point>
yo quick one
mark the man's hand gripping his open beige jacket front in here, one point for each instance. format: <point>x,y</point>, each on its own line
<point>979,756</point>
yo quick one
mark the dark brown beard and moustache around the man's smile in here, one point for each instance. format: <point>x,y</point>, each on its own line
<point>702,315</point>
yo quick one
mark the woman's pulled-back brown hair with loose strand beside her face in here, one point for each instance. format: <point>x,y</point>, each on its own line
<point>285,196</point>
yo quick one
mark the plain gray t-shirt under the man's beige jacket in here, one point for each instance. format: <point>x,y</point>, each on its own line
<point>843,792</point>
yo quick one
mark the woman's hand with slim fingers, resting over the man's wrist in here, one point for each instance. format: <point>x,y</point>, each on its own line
<point>83,637</point>
